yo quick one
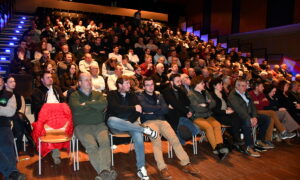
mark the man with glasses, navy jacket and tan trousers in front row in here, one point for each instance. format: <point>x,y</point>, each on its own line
<point>154,109</point>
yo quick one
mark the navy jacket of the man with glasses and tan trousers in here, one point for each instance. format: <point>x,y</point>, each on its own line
<point>154,107</point>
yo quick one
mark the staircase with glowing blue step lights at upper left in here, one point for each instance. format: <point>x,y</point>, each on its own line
<point>10,37</point>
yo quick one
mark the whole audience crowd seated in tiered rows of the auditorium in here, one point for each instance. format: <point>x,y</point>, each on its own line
<point>144,78</point>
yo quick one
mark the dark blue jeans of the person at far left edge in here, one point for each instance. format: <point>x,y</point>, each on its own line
<point>7,152</point>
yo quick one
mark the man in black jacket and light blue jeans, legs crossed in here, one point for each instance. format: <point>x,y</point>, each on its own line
<point>123,111</point>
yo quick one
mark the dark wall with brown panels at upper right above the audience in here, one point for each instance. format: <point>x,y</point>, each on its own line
<point>219,17</point>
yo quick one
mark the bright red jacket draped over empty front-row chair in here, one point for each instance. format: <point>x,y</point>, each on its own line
<point>55,115</point>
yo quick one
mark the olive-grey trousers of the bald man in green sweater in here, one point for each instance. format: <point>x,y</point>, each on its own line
<point>94,138</point>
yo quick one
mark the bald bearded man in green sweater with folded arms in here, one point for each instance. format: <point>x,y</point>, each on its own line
<point>88,115</point>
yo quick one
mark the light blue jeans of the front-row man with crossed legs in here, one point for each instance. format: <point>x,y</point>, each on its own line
<point>118,125</point>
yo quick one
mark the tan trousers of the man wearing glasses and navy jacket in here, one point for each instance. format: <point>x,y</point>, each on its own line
<point>165,129</point>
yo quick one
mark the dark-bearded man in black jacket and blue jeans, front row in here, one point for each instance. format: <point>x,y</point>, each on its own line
<point>178,104</point>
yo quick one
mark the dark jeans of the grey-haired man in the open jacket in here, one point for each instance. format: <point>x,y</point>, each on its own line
<point>262,124</point>
